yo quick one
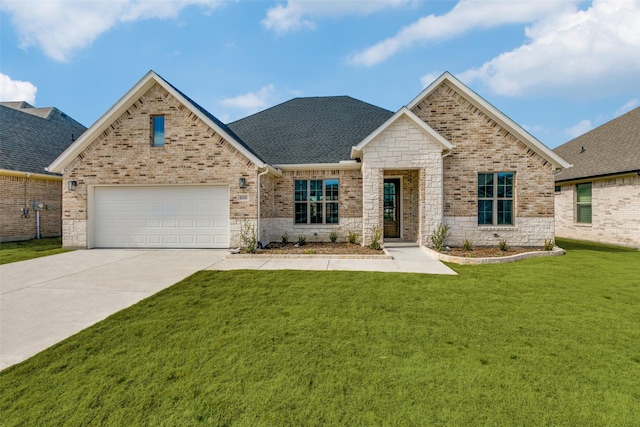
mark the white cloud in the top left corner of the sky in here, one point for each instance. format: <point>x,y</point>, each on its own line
<point>61,27</point>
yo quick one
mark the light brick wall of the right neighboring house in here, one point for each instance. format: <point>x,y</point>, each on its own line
<point>615,212</point>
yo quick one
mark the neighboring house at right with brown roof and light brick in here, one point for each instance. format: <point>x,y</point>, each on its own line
<point>598,199</point>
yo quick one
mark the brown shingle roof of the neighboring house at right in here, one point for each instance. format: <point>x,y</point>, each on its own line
<point>610,149</point>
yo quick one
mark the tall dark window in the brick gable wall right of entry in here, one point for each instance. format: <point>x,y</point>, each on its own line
<point>495,198</point>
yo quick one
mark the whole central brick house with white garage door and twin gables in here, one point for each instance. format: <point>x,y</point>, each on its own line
<point>157,170</point>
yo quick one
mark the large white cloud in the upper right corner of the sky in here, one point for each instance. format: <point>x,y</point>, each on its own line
<point>582,53</point>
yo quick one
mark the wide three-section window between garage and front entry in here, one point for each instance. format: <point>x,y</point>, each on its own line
<point>316,201</point>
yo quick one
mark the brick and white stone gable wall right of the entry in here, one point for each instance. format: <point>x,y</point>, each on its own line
<point>482,145</point>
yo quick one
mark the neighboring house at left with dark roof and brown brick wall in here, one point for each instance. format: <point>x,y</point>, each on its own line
<point>30,139</point>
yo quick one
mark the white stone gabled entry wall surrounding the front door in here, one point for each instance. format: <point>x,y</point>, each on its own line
<point>402,146</point>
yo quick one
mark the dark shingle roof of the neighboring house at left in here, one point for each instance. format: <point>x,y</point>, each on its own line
<point>31,138</point>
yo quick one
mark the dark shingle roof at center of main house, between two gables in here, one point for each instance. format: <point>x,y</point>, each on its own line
<point>310,130</point>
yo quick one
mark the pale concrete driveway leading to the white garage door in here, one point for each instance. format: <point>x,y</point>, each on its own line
<point>45,300</point>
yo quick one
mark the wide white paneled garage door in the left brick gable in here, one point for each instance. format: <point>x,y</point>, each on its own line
<point>161,217</point>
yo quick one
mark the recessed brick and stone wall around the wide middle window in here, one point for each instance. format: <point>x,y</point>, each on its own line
<point>277,206</point>
